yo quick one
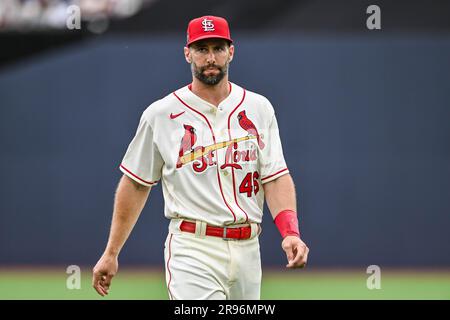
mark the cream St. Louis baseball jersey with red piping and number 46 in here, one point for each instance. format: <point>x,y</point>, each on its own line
<point>211,161</point>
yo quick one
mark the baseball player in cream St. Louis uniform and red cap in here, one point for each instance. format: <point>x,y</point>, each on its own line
<point>215,148</point>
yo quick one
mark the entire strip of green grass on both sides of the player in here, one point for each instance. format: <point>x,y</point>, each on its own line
<point>297,284</point>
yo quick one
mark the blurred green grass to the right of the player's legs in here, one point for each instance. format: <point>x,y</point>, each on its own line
<point>352,285</point>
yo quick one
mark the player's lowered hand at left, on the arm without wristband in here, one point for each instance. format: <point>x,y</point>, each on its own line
<point>103,272</point>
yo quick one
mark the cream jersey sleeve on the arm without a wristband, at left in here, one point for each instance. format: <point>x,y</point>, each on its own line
<point>142,161</point>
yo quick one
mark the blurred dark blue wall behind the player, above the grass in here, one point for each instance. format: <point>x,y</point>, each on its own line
<point>364,123</point>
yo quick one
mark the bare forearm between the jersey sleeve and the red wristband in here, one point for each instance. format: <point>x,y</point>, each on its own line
<point>280,194</point>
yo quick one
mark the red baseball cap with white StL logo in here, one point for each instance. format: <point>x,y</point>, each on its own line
<point>207,27</point>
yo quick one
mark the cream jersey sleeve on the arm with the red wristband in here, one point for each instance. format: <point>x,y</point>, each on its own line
<point>273,164</point>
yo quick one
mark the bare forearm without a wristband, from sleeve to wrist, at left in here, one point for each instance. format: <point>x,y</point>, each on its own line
<point>129,201</point>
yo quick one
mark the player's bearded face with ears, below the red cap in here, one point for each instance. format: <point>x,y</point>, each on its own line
<point>209,59</point>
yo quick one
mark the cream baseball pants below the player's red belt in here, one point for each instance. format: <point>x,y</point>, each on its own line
<point>200,267</point>
